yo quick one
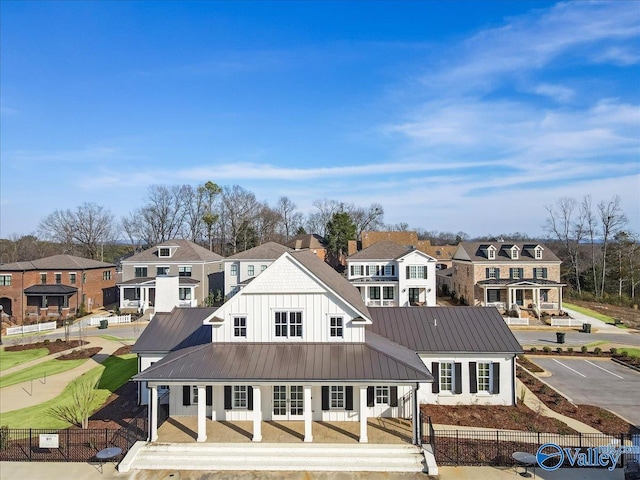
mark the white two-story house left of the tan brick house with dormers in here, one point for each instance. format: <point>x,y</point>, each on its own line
<point>388,274</point>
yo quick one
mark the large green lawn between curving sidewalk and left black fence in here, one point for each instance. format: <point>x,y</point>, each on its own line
<point>110,375</point>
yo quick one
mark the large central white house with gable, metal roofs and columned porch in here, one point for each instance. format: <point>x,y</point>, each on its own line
<point>299,344</point>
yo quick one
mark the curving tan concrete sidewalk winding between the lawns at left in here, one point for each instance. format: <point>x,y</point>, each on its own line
<point>30,393</point>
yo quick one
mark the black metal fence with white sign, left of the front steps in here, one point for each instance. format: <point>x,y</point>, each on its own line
<point>73,445</point>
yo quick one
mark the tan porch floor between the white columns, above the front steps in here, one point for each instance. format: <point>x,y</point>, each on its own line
<point>180,429</point>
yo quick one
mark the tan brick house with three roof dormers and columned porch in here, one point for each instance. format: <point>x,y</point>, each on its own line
<point>508,275</point>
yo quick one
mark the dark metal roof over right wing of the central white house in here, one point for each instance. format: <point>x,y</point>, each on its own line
<point>445,329</point>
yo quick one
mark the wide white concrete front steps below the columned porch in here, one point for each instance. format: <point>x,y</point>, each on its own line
<point>275,457</point>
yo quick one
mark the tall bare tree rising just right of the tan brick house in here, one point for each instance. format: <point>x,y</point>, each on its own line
<point>568,230</point>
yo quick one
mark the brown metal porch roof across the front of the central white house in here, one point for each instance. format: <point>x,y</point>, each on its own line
<point>375,361</point>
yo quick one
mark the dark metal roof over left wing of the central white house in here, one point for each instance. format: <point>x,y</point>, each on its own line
<point>180,328</point>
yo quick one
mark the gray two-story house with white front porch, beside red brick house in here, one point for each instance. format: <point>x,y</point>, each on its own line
<point>178,272</point>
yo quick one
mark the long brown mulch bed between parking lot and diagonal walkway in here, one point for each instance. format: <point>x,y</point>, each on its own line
<point>596,417</point>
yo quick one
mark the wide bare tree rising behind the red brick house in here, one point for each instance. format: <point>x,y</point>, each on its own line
<point>87,227</point>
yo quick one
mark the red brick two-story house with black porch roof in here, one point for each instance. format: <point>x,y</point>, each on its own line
<point>55,287</point>
